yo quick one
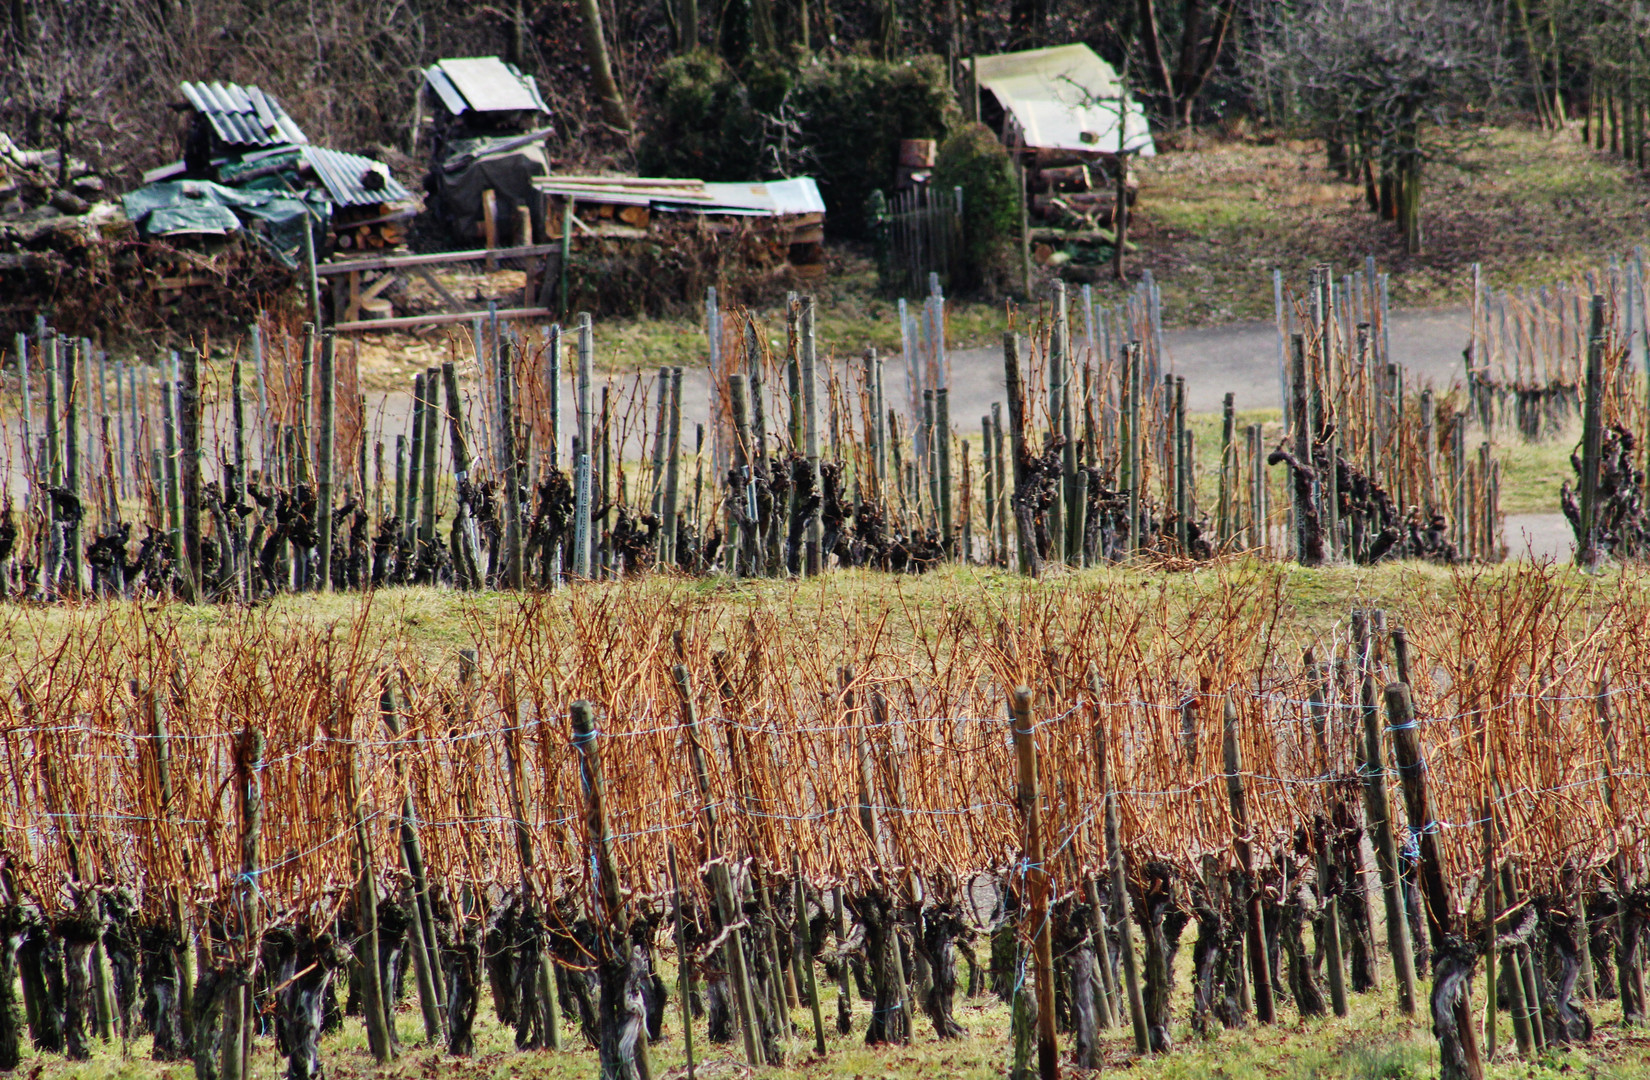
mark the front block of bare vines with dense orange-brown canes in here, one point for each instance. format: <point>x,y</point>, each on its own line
<point>1034,794</point>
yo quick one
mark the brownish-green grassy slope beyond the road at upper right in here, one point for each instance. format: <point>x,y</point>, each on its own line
<point>1529,207</point>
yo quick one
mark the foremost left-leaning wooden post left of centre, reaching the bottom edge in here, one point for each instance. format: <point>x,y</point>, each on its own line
<point>615,924</point>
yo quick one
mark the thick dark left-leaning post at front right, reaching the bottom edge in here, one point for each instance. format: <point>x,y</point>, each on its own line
<point>1453,967</point>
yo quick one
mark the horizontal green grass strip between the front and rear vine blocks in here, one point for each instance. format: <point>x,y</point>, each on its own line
<point>431,626</point>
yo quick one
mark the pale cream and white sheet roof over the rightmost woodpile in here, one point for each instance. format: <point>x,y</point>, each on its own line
<point>1067,98</point>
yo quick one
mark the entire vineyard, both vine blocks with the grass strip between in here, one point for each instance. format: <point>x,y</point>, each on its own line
<point>633,792</point>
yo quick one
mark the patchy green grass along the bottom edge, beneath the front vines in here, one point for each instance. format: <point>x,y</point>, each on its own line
<point>1374,1043</point>
